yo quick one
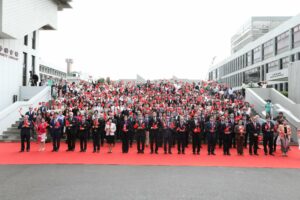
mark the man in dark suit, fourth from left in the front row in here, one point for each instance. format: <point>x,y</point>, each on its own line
<point>71,124</point>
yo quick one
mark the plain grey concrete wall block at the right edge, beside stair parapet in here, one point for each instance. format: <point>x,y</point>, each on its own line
<point>294,82</point>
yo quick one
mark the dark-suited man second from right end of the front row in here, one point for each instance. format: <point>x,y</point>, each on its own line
<point>268,134</point>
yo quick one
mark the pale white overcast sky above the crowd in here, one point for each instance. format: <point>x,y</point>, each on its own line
<point>152,38</point>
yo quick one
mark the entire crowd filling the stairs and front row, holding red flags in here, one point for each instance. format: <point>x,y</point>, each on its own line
<point>167,115</point>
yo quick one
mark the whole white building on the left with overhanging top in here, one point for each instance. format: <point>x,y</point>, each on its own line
<point>20,22</point>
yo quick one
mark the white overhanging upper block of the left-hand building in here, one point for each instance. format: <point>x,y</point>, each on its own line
<point>21,17</point>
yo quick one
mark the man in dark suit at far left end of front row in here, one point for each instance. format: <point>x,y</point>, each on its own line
<point>26,125</point>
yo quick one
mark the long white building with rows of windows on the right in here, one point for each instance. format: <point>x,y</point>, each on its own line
<point>265,59</point>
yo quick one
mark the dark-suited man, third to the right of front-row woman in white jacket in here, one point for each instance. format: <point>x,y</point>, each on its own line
<point>154,126</point>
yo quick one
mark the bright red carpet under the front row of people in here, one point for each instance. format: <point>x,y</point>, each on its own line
<point>9,155</point>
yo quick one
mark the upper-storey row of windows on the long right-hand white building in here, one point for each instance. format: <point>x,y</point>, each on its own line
<point>280,44</point>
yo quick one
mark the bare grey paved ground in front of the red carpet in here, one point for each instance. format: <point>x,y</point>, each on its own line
<point>64,182</point>
